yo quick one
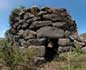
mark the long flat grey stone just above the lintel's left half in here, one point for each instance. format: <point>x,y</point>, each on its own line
<point>37,24</point>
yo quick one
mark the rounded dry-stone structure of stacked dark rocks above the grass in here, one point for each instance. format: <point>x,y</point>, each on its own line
<point>33,26</point>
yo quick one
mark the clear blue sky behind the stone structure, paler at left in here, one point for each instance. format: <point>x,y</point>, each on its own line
<point>76,8</point>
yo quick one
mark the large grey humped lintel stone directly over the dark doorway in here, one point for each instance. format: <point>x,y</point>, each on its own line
<point>50,32</point>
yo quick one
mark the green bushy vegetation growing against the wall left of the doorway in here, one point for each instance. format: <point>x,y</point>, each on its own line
<point>12,57</point>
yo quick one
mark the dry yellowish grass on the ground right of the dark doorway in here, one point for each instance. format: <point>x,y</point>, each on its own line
<point>68,61</point>
